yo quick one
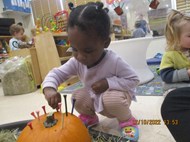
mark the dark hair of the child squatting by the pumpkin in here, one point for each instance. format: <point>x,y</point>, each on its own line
<point>90,18</point>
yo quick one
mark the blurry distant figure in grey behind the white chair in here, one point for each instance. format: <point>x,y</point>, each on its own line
<point>138,32</point>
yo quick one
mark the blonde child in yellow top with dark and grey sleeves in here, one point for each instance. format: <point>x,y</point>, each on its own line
<point>175,64</point>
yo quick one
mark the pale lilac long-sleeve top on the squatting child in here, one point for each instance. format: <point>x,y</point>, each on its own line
<point>119,74</point>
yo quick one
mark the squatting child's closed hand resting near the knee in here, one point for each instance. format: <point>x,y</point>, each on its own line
<point>100,86</point>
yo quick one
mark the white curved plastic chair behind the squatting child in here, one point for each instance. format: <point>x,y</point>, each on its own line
<point>134,52</point>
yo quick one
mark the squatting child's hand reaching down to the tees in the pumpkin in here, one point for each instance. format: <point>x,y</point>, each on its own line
<point>52,96</point>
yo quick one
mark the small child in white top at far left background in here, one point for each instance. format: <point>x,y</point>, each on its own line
<point>17,32</point>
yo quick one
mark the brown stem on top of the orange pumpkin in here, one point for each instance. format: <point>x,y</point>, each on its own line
<point>50,120</point>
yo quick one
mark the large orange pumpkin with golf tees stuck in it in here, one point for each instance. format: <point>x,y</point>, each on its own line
<point>71,130</point>
